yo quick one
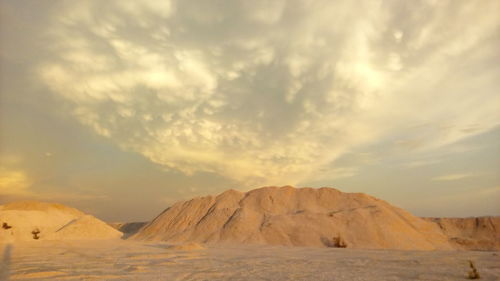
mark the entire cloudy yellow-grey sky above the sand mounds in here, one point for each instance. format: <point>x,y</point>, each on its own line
<point>121,108</point>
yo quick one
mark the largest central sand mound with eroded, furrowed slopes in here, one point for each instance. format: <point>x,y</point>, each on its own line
<point>322,217</point>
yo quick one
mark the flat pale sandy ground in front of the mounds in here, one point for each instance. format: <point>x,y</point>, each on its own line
<point>128,260</point>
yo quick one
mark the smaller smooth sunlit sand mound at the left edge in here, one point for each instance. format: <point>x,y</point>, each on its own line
<point>53,222</point>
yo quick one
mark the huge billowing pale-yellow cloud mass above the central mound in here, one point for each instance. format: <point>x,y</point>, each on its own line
<point>271,94</point>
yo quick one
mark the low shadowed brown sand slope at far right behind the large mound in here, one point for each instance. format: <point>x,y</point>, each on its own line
<point>482,233</point>
